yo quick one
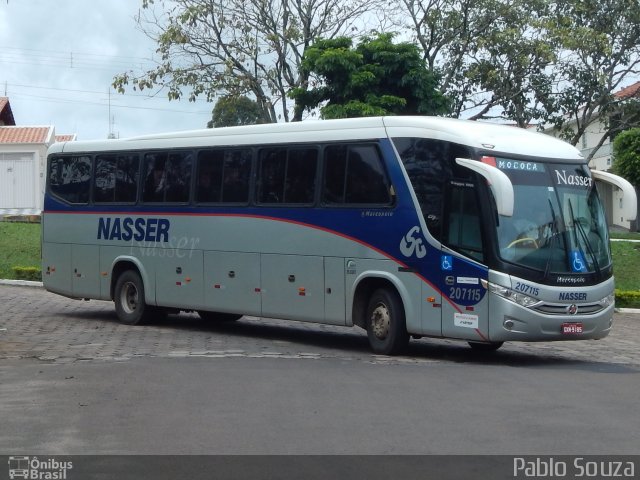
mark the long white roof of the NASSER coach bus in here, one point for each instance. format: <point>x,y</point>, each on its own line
<point>480,135</point>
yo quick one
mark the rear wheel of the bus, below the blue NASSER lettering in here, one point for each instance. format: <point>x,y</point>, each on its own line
<point>129,299</point>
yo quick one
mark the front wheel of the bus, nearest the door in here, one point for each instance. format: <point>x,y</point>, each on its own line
<point>386,324</point>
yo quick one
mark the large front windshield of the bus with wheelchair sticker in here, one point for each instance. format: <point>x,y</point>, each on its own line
<point>558,223</point>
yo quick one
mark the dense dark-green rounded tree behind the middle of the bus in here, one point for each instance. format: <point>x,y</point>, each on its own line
<point>377,77</point>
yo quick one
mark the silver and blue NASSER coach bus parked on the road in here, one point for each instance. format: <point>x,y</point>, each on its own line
<point>404,226</point>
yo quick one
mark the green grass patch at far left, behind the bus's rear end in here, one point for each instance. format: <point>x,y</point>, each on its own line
<point>19,247</point>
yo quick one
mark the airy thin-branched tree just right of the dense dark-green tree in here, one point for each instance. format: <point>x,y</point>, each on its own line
<point>491,55</point>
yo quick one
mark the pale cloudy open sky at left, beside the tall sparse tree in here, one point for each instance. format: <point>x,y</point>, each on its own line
<point>57,62</point>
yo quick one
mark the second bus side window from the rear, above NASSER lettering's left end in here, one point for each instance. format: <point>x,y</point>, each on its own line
<point>116,178</point>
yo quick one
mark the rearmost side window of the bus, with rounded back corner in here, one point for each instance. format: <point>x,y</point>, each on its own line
<point>69,178</point>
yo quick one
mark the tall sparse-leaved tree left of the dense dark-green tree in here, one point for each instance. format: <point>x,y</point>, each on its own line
<point>238,47</point>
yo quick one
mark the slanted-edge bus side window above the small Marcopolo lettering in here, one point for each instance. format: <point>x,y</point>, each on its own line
<point>354,174</point>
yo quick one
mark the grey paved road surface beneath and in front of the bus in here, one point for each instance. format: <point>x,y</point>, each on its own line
<point>74,381</point>
